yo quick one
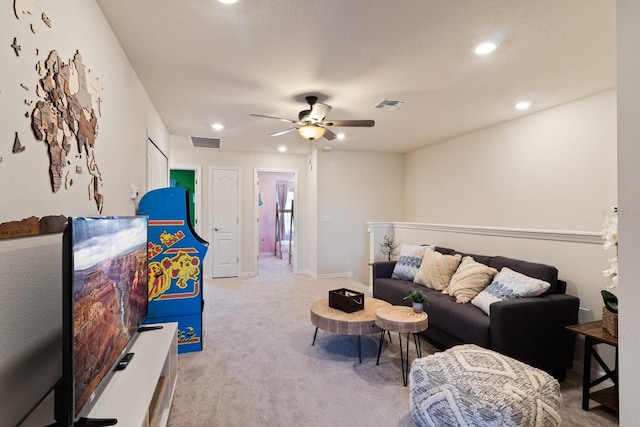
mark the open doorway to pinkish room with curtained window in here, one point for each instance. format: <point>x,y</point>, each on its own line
<point>276,217</point>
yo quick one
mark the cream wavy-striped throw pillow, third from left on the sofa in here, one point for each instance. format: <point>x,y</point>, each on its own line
<point>470,278</point>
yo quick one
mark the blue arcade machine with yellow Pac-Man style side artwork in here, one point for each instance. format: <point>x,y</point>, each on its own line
<point>176,254</point>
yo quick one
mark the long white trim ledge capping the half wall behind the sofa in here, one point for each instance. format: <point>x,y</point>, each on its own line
<point>588,237</point>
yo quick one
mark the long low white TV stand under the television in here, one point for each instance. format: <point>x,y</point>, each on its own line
<point>141,394</point>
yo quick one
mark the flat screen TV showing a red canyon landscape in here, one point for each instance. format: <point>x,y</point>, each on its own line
<point>104,303</point>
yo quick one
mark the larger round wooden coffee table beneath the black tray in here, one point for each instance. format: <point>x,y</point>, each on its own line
<point>358,323</point>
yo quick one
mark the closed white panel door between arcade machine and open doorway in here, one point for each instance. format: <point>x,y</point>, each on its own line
<point>225,222</point>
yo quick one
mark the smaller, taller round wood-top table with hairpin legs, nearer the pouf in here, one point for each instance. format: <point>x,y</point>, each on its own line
<point>402,320</point>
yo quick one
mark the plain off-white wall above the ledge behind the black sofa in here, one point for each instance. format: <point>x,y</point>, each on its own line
<point>555,169</point>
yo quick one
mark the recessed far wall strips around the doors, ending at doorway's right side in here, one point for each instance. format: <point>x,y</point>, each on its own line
<point>246,162</point>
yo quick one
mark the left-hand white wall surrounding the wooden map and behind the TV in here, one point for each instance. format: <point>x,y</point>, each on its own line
<point>30,308</point>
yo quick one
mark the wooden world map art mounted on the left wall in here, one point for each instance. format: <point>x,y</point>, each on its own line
<point>63,115</point>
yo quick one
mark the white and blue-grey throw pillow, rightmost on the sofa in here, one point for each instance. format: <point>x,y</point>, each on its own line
<point>509,285</point>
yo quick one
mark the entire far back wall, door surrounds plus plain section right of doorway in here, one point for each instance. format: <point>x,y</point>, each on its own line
<point>347,188</point>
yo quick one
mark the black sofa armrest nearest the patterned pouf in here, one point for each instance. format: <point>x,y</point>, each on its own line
<point>533,330</point>
